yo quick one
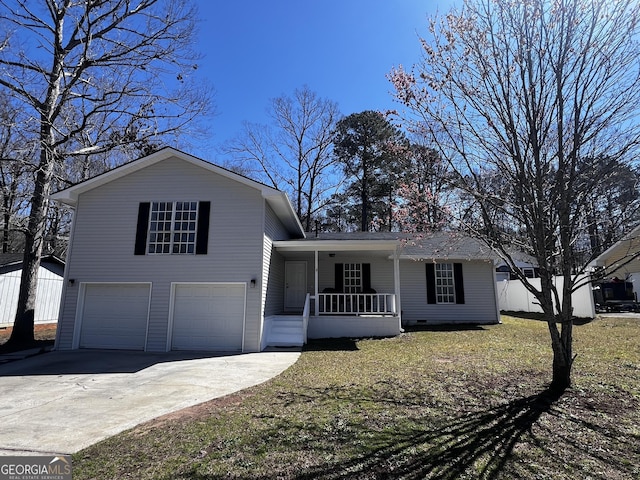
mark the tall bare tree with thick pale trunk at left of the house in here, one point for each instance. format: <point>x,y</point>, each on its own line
<point>72,65</point>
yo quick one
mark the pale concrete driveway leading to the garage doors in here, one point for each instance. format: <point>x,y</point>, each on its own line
<point>62,402</point>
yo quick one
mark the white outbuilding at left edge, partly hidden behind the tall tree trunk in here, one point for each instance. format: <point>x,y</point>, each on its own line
<point>48,294</point>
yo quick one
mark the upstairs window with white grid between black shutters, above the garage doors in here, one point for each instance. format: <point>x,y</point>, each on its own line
<point>172,227</point>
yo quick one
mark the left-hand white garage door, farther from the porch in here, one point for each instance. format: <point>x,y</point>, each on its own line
<point>115,316</point>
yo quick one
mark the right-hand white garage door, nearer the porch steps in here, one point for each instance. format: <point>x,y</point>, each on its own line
<point>208,317</point>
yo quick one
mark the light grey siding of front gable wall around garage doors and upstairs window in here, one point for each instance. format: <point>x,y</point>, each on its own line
<point>105,231</point>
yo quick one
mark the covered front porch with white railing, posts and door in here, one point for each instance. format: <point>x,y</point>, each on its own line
<point>340,287</point>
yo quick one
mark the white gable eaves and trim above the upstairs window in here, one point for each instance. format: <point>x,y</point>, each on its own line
<point>278,200</point>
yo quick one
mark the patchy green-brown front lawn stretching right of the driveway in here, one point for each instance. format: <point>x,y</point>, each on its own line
<point>439,404</point>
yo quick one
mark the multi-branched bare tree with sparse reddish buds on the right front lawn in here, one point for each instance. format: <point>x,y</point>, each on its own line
<point>523,92</point>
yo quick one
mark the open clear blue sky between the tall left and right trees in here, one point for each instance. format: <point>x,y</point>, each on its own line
<point>256,50</point>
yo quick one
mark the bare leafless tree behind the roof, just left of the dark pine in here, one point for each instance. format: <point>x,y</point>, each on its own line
<point>294,151</point>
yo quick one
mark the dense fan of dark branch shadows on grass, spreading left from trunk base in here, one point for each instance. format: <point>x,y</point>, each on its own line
<point>477,444</point>
